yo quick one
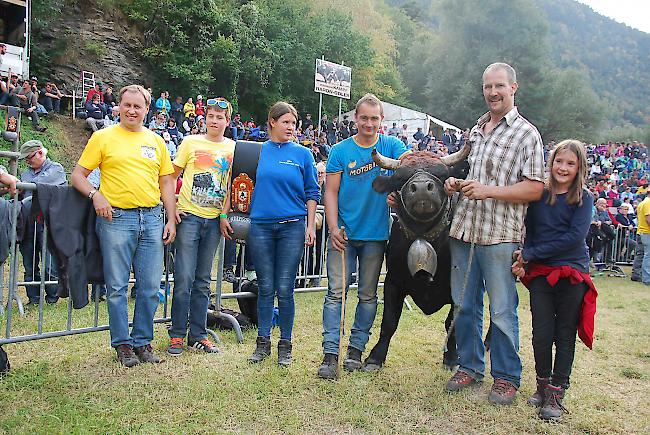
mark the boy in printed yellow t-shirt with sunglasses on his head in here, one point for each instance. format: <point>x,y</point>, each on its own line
<point>205,161</point>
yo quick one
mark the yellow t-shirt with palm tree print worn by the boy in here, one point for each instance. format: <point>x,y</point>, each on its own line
<point>207,167</point>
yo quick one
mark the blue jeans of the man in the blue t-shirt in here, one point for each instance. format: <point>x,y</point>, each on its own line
<point>371,257</point>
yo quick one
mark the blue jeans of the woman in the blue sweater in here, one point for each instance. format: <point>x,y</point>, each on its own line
<point>277,249</point>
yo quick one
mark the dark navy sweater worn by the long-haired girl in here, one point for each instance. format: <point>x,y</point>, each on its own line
<point>556,234</point>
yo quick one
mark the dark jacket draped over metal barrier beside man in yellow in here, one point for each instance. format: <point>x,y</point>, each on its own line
<point>70,218</point>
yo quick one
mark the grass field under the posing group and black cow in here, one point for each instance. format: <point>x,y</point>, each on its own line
<point>74,384</point>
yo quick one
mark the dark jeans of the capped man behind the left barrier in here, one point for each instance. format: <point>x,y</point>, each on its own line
<point>30,249</point>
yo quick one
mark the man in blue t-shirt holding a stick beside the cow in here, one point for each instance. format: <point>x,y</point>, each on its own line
<point>351,202</point>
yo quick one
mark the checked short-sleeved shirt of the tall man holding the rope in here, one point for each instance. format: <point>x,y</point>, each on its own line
<point>512,152</point>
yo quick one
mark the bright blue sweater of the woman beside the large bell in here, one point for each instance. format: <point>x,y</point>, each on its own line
<point>286,180</point>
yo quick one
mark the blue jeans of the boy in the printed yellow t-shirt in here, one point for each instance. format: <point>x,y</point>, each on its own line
<point>196,243</point>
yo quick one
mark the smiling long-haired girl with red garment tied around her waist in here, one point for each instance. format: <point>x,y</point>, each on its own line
<point>554,265</point>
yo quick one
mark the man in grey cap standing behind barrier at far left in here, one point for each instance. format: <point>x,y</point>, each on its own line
<point>41,170</point>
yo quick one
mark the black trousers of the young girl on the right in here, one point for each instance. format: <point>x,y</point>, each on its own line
<point>556,313</point>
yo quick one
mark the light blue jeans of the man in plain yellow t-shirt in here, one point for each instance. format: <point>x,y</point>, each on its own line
<point>134,236</point>
